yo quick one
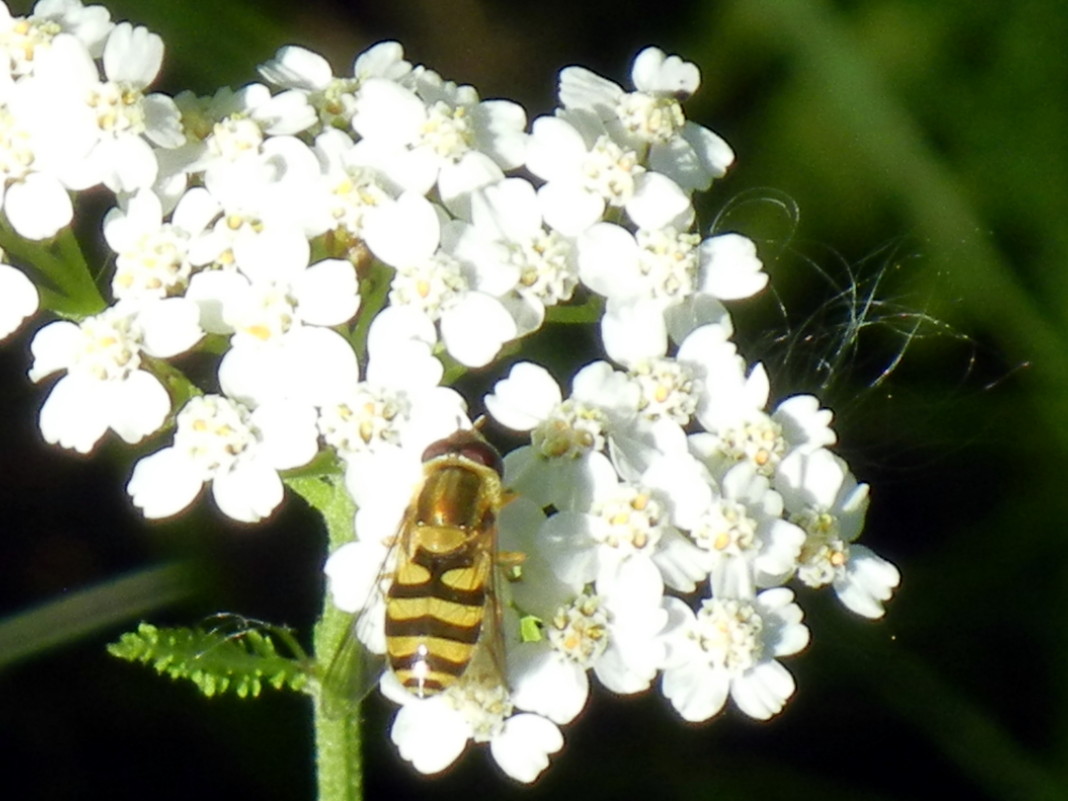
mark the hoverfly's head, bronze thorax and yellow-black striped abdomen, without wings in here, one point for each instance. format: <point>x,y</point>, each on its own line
<point>436,608</point>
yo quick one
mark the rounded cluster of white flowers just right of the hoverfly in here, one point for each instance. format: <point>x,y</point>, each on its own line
<point>672,478</point>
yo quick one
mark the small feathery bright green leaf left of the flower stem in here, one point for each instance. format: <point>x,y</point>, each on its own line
<point>216,661</point>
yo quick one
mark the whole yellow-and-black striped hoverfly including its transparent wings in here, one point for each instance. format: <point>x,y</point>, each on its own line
<point>443,614</point>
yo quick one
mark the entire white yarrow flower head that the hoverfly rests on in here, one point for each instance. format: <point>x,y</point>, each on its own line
<point>340,241</point>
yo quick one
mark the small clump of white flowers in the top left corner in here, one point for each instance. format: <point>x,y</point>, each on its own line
<point>74,112</point>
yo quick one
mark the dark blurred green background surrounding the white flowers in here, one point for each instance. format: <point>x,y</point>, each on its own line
<point>914,149</point>
